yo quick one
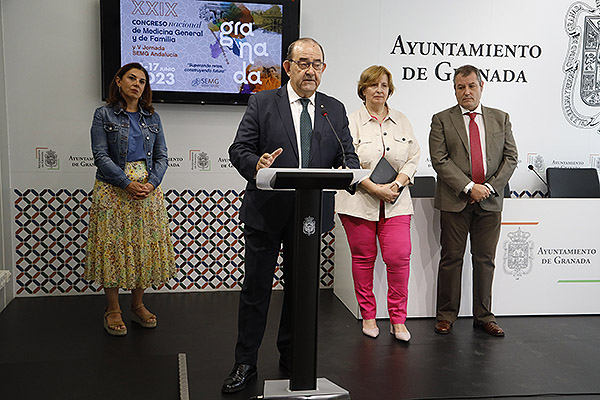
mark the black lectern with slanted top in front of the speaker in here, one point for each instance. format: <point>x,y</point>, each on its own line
<point>308,185</point>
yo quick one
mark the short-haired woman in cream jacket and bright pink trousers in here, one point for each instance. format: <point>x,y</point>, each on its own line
<point>380,211</point>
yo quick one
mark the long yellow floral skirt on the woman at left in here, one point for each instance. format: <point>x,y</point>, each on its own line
<point>129,241</point>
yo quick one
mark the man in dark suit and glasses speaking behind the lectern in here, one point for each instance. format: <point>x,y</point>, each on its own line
<point>282,128</point>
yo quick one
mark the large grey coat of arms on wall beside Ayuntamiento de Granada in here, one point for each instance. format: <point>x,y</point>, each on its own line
<point>581,85</point>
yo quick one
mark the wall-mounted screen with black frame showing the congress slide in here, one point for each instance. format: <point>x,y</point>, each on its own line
<point>197,51</point>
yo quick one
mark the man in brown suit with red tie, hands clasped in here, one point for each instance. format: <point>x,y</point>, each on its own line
<point>474,153</point>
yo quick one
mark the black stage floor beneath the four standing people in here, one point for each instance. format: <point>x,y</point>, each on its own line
<point>56,348</point>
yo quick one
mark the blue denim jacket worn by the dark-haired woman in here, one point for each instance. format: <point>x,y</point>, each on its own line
<point>110,131</point>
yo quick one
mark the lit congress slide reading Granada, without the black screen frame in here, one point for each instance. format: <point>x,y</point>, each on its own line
<point>204,46</point>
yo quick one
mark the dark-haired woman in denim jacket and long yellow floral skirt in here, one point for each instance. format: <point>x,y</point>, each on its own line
<point>129,242</point>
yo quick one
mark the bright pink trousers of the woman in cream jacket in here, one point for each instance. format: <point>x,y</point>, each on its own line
<point>394,241</point>
